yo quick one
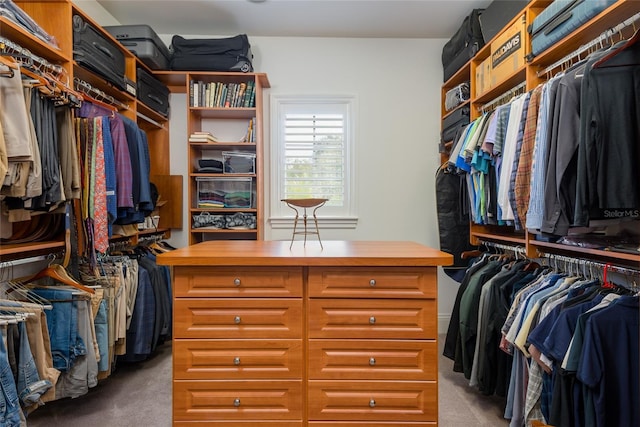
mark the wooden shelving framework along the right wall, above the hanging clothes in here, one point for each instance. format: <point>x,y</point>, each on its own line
<point>529,75</point>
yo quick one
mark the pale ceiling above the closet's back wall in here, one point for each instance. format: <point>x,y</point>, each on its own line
<point>297,18</point>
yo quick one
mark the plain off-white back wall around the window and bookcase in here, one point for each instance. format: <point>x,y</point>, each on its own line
<point>397,86</point>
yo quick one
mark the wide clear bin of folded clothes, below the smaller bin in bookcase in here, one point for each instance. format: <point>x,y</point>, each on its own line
<point>218,193</point>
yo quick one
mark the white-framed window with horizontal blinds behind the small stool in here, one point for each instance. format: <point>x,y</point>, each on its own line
<point>312,151</point>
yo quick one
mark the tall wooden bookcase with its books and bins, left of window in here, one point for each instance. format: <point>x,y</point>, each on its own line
<point>224,136</point>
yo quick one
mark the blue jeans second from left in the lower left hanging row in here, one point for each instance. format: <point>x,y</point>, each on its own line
<point>29,386</point>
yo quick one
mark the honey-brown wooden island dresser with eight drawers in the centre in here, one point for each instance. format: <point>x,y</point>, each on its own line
<point>265,335</point>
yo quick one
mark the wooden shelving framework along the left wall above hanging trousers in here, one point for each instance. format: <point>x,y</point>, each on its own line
<point>55,17</point>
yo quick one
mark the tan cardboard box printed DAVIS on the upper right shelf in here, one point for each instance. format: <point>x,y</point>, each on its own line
<point>508,52</point>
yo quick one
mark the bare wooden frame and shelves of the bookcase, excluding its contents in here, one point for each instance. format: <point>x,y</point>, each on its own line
<point>229,125</point>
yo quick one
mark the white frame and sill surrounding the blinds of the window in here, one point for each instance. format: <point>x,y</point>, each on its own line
<point>281,216</point>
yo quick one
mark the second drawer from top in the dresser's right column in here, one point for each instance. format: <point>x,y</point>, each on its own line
<point>372,319</point>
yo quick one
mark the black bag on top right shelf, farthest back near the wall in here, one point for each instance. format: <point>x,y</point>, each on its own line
<point>464,44</point>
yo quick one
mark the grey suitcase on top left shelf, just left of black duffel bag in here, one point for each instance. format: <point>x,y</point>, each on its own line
<point>144,43</point>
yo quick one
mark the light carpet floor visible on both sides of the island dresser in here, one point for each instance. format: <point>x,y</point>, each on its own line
<point>139,395</point>
